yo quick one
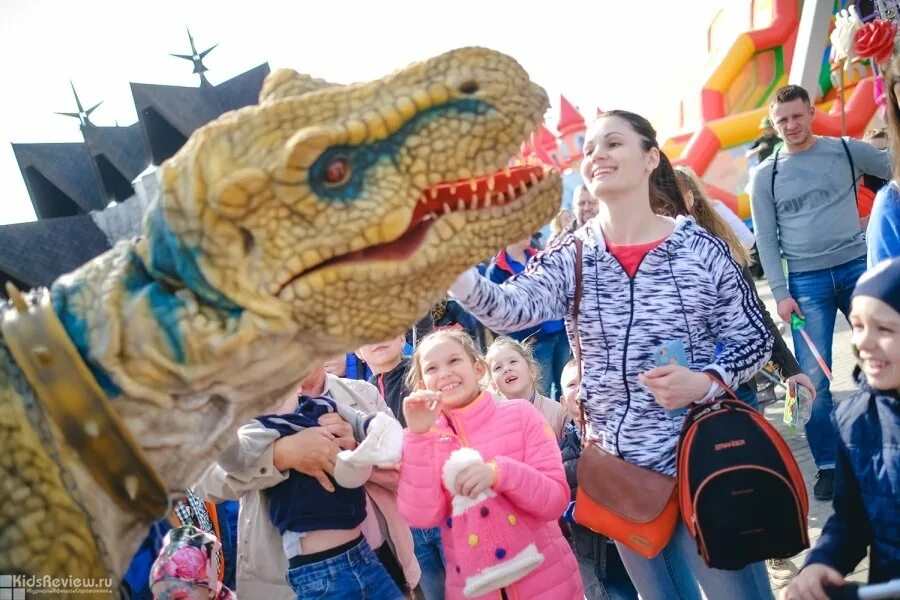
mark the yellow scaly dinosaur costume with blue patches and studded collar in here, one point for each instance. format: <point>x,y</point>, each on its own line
<point>321,219</point>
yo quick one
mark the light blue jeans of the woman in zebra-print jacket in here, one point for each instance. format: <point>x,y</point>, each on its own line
<point>678,569</point>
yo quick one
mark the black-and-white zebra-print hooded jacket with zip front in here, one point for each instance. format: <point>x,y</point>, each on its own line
<point>688,289</point>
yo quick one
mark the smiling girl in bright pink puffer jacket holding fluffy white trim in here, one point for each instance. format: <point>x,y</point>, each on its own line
<point>497,501</point>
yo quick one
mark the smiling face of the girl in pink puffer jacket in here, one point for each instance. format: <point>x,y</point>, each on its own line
<point>446,368</point>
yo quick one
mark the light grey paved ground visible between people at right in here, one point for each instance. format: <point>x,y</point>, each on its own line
<point>842,369</point>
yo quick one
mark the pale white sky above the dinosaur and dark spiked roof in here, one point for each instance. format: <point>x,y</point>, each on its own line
<point>642,55</point>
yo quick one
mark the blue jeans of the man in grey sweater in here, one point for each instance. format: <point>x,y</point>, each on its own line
<point>820,295</point>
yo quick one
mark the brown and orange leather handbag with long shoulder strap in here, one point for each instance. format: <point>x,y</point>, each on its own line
<point>634,506</point>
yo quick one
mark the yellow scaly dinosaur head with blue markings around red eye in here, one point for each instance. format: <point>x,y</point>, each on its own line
<point>350,209</point>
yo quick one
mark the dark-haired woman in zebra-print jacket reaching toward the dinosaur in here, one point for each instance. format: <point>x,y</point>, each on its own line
<point>648,281</point>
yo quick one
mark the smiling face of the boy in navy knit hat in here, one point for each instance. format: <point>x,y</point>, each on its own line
<point>876,339</point>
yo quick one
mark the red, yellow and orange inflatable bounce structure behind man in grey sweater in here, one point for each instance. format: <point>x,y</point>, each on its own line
<point>752,44</point>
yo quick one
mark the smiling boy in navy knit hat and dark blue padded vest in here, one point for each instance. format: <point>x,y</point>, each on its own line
<point>867,480</point>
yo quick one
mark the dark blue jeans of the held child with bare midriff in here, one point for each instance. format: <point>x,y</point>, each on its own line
<point>353,575</point>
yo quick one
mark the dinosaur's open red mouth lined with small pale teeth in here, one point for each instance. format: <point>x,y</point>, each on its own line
<point>506,190</point>
